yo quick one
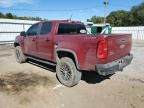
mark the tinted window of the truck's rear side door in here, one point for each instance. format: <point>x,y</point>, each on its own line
<point>46,28</point>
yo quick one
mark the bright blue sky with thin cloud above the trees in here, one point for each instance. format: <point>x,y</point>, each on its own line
<point>64,9</point>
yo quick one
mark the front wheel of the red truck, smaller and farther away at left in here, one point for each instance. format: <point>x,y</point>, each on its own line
<point>20,57</point>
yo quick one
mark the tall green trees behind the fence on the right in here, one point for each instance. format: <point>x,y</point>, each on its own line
<point>134,17</point>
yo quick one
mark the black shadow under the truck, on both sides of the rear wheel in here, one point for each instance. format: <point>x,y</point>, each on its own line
<point>87,76</point>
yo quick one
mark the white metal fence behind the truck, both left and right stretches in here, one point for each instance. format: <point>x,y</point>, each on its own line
<point>9,29</point>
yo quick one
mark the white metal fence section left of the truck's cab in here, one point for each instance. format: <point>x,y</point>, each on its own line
<point>10,28</point>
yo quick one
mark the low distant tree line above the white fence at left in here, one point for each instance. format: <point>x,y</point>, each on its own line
<point>12,16</point>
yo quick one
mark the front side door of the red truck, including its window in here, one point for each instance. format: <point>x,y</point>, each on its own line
<point>30,40</point>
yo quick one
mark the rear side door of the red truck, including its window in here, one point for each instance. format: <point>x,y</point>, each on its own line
<point>45,41</point>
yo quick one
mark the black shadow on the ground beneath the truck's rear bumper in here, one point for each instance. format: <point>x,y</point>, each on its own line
<point>93,77</point>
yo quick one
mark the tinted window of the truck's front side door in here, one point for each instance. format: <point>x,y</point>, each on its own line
<point>33,30</point>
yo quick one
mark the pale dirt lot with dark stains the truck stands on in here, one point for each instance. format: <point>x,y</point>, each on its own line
<point>32,85</point>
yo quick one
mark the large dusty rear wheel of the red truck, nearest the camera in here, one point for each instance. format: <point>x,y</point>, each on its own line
<point>67,73</point>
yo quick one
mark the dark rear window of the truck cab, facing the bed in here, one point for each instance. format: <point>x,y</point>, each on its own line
<point>70,28</point>
